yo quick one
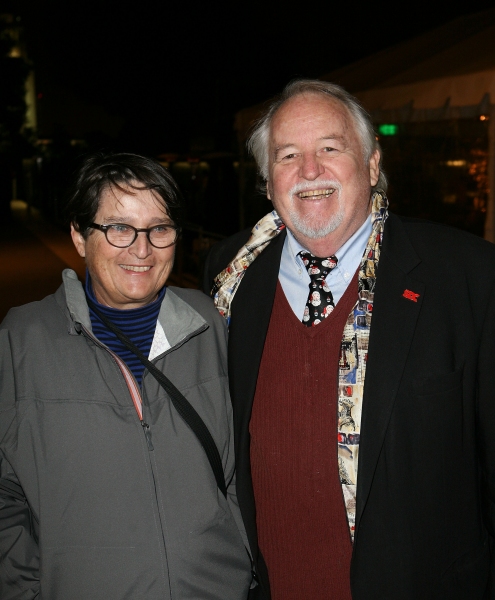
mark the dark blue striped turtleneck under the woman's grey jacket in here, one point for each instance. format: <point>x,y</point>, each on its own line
<point>138,324</point>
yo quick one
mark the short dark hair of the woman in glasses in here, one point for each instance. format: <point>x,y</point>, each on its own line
<point>126,172</point>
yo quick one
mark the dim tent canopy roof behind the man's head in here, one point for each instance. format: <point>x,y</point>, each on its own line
<point>448,72</point>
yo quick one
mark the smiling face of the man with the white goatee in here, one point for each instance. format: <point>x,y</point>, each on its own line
<point>319,181</point>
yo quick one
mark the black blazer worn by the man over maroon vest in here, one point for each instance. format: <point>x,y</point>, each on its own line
<point>425,511</point>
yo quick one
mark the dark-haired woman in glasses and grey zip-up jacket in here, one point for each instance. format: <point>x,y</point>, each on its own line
<point>106,489</point>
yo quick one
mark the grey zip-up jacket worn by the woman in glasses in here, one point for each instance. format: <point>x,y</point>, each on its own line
<point>89,508</point>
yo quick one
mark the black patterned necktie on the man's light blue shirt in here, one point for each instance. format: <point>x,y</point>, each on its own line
<point>320,300</point>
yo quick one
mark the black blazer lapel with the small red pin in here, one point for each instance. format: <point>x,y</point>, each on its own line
<point>397,303</point>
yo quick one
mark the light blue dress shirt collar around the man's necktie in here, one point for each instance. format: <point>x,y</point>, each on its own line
<point>294,277</point>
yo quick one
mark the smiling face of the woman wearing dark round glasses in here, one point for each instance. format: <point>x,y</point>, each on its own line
<point>126,277</point>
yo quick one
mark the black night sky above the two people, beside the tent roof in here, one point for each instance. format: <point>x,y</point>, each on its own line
<point>172,75</point>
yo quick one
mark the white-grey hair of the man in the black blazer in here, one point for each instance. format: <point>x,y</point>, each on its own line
<point>259,139</point>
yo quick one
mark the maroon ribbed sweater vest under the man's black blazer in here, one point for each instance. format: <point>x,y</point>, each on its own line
<point>301,520</point>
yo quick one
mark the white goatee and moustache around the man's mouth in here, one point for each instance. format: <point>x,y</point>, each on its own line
<point>307,225</point>
